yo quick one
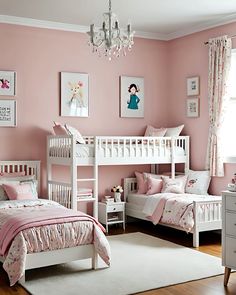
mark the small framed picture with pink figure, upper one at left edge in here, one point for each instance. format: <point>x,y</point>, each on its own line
<point>7,83</point>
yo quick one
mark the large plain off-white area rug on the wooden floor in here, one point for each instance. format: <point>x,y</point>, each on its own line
<point>139,262</point>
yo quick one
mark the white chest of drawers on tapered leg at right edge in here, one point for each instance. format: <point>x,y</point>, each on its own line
<point>228,233</point>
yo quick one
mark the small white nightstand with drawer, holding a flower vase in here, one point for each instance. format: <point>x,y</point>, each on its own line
<point>112,213</point>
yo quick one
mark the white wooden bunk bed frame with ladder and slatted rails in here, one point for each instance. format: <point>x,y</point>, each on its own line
<point>108,150</point>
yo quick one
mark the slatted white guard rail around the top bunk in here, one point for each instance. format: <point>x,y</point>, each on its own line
<point>118,150</point>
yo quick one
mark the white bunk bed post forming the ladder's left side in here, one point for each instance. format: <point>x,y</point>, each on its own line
<point>73,173</point>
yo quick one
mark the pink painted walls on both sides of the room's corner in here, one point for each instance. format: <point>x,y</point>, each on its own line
<point>39,55</point>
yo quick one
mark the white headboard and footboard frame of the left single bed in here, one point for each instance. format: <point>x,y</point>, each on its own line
<point>46,258</point>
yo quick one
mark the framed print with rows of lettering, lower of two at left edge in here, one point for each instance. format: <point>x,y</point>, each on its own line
<point>7,113</point>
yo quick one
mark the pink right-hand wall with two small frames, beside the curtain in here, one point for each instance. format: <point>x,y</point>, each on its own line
<point>188,56</point>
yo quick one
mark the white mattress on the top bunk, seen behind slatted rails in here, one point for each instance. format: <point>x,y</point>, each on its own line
<point>108,151</point>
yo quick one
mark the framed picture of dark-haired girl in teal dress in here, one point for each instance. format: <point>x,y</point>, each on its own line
<point>131,97</point>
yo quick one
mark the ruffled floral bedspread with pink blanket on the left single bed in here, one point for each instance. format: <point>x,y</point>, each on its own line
<point>42,225</point>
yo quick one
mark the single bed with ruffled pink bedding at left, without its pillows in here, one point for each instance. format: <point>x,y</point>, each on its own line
<point>58,234</point>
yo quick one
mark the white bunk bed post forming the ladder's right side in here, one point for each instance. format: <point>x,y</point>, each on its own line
<point>95,176</point>
